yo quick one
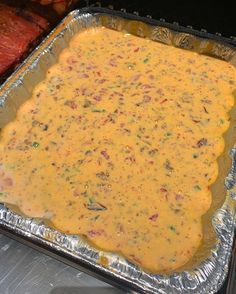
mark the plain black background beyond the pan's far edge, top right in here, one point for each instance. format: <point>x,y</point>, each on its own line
<point>212,16</point>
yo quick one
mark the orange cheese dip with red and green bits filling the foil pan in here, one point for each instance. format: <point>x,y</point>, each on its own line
<point>119,143</point>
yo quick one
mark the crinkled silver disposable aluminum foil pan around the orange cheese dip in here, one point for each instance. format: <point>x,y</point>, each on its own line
<point>208,269</point>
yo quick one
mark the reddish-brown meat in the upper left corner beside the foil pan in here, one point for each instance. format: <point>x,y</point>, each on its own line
<point>22,23</point>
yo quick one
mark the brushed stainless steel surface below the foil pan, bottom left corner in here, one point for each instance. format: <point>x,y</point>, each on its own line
<point>26,271</point>
